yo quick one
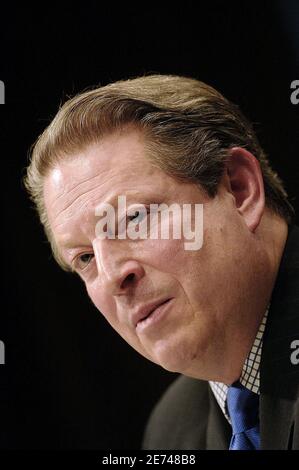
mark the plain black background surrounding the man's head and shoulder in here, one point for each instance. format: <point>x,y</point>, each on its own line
<point>70,382</point>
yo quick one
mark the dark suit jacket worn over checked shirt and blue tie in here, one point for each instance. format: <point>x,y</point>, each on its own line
<point>188,416</point>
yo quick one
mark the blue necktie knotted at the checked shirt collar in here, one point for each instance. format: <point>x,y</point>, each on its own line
<point>243,408</point>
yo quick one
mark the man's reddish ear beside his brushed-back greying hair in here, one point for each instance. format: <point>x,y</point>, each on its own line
<point>246,184</point>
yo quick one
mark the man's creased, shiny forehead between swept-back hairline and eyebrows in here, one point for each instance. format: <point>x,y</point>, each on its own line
<point>115,166</point>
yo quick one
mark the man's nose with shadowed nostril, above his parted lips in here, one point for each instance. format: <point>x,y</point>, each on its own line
<point>119,273</point>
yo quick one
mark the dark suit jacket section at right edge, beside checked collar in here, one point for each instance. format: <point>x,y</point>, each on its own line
<point>279,377</point>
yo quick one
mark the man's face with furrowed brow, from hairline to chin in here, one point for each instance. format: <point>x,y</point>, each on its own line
<point>202,290</point>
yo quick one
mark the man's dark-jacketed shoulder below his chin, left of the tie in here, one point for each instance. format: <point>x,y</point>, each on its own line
<point>180,416</point>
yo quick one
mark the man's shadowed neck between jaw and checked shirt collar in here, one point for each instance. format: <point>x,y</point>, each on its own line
<point>224,360</point>
